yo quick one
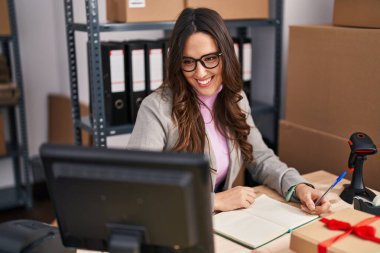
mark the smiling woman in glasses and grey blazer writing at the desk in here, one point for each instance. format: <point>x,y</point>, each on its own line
<point>201,108</point>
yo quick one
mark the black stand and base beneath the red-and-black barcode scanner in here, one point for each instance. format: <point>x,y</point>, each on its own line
<point>357,188</point>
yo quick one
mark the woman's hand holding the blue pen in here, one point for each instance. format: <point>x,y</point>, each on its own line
<point>308,196</point>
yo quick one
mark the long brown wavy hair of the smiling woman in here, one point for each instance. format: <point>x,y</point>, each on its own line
<point>228,117</point>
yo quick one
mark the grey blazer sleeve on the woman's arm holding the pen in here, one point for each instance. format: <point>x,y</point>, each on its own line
<point>266,167</point>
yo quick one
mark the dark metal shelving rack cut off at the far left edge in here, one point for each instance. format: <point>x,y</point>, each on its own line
<point>17,147</point>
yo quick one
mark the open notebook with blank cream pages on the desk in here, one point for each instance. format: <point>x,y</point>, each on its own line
<point>265,220</point>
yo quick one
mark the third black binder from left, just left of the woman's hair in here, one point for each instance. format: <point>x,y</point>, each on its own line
<point>154,62</point>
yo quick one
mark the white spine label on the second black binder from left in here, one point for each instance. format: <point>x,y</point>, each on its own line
<point>138,70</point>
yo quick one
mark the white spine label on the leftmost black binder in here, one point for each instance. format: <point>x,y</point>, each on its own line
<point>117,71</point>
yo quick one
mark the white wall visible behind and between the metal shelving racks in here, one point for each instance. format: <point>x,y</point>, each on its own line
<point>42,38</point>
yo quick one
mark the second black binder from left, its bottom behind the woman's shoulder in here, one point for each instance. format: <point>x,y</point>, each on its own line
<point>135,76</point>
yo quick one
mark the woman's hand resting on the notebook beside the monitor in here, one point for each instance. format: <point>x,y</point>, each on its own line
<point>235,198</point>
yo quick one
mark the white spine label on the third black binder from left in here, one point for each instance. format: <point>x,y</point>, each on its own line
<point>156,68</point>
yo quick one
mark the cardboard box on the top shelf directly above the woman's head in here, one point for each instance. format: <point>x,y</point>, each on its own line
<point>237,9</point>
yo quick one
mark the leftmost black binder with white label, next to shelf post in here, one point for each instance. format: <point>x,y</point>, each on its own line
<point>115,96</point>
